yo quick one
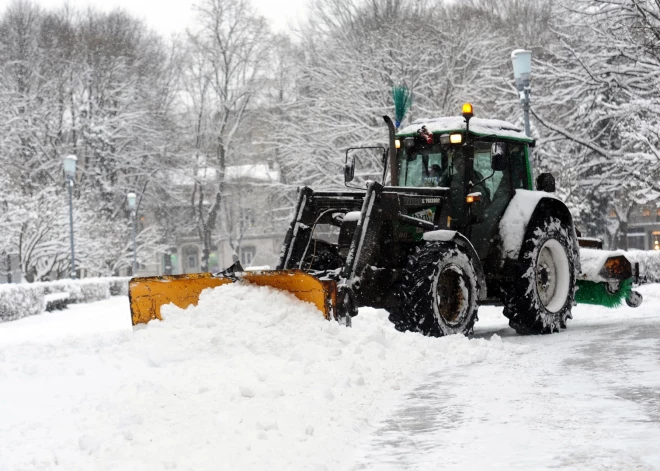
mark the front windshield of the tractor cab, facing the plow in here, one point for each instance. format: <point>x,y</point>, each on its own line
<point>430,166</point>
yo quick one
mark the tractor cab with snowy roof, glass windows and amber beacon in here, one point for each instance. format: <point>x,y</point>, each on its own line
<point>481,162</point>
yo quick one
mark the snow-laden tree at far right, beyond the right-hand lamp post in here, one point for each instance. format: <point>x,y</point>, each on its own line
<point>600,106</point>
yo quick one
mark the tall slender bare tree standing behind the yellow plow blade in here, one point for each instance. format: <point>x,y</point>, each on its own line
<point>223,75</point>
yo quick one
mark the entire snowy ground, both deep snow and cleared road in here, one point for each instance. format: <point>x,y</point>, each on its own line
<point>251,379</point>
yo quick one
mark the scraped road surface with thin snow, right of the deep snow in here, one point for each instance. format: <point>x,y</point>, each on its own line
<point>588,398</point>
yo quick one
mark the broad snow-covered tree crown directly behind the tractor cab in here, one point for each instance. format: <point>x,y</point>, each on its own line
<point>350,57</point>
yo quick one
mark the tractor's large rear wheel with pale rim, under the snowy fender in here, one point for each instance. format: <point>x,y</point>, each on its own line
<point>540,300</point>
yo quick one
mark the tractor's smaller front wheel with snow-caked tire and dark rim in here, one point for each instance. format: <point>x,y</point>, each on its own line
<point>439,291</point>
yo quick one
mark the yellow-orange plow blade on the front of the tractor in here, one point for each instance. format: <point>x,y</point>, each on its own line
<point>148,294</point>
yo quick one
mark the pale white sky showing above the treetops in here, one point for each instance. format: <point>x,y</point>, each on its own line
<point>172,16</point>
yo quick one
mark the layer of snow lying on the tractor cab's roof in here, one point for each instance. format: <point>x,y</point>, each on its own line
<point>479,126</point>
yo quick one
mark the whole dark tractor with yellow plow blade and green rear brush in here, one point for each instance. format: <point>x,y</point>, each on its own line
<point>459,225</point>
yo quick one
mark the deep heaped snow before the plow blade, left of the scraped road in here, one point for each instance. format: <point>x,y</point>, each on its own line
<point>251,378</point>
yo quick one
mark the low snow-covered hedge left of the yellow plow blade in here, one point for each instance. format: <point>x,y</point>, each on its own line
<point>27,299</point>
